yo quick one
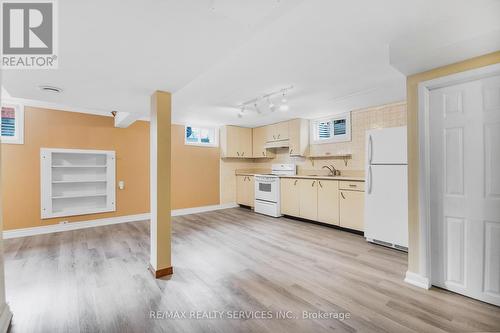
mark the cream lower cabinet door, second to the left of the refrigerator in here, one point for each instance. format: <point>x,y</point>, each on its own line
<point>328,201</point>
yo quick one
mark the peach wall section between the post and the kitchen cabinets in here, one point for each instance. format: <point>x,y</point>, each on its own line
<point>195,173</point>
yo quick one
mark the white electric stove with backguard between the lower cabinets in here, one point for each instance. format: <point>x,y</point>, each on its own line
<point>267,189</point>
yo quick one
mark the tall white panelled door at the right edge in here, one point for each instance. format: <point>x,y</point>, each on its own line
<point>464,124</point>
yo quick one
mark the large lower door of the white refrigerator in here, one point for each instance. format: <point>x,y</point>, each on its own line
<point>386,204</point>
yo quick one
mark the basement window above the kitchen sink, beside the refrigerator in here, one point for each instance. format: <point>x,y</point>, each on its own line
<point>332,129</point>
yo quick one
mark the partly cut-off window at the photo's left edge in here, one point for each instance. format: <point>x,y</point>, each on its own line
<point>12,123</point>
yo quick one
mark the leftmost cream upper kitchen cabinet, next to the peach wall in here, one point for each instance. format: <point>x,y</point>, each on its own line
<point>236,142</point>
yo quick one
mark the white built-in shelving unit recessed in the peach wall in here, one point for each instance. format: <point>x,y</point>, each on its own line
<point>76,182</point>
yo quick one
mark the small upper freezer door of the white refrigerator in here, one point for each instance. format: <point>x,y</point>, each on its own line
<point>386,146</point>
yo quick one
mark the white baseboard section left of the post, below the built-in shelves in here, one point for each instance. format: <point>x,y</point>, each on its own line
<point>47,229</point>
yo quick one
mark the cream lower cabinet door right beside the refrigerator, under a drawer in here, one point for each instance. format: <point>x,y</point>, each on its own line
<point>352,209</point>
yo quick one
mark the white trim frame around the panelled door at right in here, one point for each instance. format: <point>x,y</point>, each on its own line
<point>424,277</point>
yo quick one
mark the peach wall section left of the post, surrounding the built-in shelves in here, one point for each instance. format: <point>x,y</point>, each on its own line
<point>60,129</point>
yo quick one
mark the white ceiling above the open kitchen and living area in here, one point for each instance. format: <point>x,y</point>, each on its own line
<point>215,54</point>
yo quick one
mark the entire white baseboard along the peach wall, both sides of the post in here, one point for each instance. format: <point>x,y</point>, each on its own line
<point>47,229</point>
